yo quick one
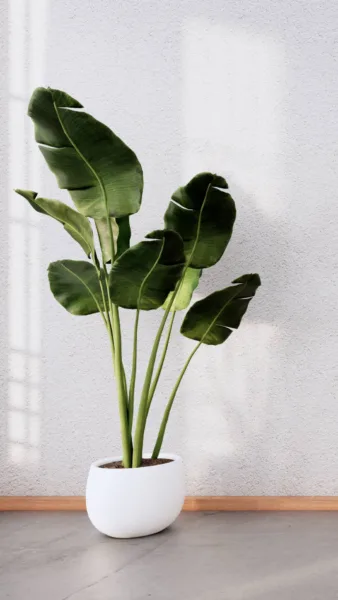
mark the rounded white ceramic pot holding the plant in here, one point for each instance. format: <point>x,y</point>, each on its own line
<point>126,503</point>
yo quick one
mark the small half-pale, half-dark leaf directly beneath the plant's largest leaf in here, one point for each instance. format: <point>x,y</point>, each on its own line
<point>121,234</point>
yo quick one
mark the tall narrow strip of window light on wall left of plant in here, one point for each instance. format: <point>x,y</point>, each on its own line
<point>27,31</point>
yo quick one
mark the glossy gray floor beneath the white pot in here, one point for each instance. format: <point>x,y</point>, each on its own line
<point>204,556</point>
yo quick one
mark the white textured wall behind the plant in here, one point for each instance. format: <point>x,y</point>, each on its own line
<point>248,89</point>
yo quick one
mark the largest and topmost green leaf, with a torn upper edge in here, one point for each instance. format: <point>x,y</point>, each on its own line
<point>102,175</point>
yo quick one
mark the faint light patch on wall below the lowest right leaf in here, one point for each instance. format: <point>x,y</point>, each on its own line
<point>234,395</point>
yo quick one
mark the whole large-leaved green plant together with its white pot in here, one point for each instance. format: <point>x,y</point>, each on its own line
<point>134,494</point>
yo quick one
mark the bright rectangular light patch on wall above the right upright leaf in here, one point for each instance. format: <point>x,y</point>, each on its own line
<point>232,88</point>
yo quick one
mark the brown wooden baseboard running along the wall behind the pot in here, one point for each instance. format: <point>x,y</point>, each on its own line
<point>192,503</point>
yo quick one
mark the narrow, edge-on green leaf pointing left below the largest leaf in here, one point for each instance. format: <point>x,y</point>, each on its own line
<point>75,224</point>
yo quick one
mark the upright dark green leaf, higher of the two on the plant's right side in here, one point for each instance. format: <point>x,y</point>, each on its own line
<point>204,211</point>
